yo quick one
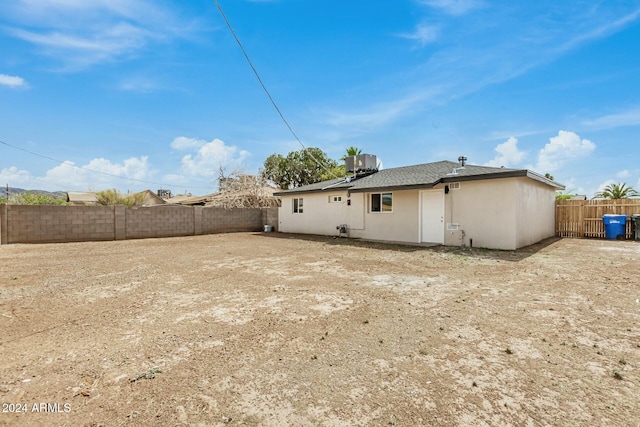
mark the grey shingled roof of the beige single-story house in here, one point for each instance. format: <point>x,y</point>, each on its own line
<point>419,176</point>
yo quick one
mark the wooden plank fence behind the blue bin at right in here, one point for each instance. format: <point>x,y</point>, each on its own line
<point>583,218</point>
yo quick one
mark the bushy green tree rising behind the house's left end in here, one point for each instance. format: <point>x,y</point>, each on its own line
<point>299,168</point>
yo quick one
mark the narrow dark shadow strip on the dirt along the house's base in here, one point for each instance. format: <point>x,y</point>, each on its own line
<point>478,253</point>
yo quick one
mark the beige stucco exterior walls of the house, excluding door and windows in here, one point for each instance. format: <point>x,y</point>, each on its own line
<point>506,213</point>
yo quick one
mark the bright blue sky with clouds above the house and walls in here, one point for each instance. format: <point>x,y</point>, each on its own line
<point>137,94</point>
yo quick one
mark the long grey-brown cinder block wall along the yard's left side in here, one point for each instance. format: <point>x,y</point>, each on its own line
<point>50,224</point>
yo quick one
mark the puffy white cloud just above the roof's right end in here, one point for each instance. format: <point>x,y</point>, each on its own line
<point>560,149</point>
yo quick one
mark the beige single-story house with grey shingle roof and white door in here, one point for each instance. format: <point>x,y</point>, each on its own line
<point>449,203</point>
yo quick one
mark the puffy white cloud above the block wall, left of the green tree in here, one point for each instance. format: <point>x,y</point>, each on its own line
<point>208,156</point>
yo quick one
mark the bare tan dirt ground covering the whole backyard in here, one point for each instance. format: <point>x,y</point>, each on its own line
<point>274,330</point>
